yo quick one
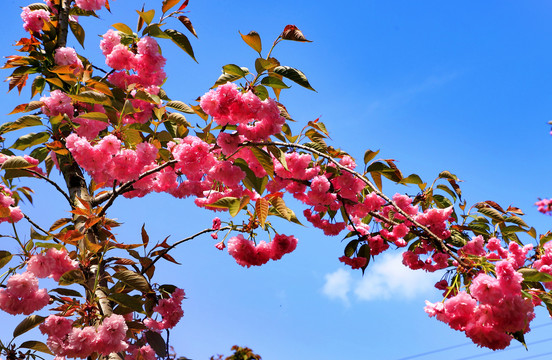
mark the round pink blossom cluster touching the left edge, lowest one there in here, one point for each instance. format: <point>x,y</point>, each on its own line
<point>22,296</point>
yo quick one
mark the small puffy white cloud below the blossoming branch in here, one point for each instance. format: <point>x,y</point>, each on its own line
<point>386,278</point>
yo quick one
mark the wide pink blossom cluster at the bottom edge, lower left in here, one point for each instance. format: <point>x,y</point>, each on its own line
<point>66,340</point>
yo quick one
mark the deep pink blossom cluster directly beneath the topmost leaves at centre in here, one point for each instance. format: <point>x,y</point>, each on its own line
<point>256,120</point>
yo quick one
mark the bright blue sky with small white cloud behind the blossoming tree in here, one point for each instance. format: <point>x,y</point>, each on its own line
<point>463,86</point>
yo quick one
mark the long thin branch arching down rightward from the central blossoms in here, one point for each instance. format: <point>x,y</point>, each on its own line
<point>370,185</point>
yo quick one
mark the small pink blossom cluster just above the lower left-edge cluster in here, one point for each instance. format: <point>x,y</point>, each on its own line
<point>54,263</point>
